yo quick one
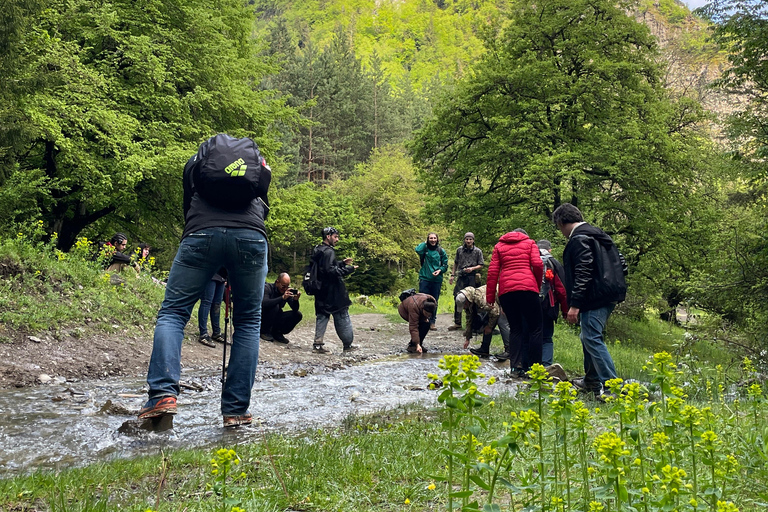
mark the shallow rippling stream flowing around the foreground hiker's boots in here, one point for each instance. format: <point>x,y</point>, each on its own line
<point>73,424</point>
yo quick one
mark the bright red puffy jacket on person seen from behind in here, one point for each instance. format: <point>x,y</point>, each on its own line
<point>516,266</point>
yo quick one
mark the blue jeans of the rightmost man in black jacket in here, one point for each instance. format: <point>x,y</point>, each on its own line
<point>598,365</point>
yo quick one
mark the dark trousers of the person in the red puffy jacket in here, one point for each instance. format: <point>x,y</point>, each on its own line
<point>523,310</point>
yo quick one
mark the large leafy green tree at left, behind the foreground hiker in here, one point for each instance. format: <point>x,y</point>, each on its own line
<point>114,97</point>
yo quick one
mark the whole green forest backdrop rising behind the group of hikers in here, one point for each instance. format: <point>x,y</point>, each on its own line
<point>389,119</point>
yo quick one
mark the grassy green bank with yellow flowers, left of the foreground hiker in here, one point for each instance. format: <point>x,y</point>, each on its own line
<point>46,289</point>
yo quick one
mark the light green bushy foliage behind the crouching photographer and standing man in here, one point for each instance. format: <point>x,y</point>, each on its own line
<point>377,210</point>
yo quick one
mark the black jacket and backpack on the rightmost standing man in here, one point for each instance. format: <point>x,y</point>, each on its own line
<point>594,274</point>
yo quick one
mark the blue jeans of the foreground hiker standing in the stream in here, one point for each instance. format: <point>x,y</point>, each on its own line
<point>244,254</point>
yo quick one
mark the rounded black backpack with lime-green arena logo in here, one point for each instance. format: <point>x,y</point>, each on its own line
<point>229,173</point>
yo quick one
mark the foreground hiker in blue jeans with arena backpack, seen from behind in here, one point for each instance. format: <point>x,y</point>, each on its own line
<point>225,206</point>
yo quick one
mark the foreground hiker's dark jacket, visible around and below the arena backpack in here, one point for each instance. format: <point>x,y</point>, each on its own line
<point>198,214</point>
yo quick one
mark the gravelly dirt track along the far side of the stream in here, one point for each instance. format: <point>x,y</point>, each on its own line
<point>34,359</point>
